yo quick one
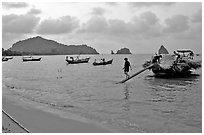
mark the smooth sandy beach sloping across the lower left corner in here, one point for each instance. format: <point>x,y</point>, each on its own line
<point>37,121</point>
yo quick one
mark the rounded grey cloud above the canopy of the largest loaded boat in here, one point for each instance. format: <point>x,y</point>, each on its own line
<point>176,24</point>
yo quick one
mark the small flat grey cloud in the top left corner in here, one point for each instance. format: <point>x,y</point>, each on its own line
<point>9,5</point>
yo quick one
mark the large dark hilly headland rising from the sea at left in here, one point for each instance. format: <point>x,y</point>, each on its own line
<point>41,46</point>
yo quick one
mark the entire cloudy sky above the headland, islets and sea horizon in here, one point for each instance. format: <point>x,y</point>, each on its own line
<point>105,26</point>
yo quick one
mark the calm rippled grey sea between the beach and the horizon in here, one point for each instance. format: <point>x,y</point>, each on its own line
<point>144,104</point>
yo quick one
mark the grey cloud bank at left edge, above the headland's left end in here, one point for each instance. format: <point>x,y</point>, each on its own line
<point>20,24</point>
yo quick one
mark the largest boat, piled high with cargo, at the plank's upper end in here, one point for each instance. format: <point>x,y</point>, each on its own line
<point>170,65</point>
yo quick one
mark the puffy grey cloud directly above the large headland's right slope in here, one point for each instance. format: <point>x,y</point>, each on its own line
<point>65,24</point>
